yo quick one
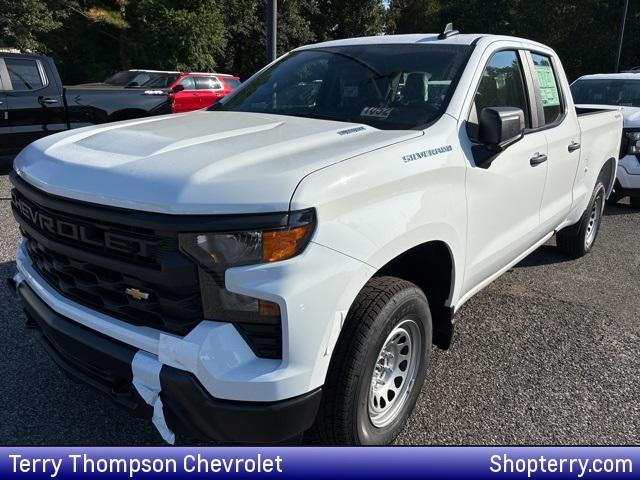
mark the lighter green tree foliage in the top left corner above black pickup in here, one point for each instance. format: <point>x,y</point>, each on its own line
<point>22,21</point>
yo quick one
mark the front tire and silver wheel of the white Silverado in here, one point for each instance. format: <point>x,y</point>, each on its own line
<point>389,315</point>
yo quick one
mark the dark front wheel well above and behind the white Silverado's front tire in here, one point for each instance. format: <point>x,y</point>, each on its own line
<point>429,266</point>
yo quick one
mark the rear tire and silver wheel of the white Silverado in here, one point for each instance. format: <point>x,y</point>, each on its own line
<point>578,240</point>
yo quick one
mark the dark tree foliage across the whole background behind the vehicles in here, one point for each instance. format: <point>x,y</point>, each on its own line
<point>90,39</point>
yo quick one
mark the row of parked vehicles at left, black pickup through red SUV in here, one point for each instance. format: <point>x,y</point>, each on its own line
<point>34,103</point>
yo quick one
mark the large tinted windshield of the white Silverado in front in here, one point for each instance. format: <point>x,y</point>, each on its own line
<point>385,86</point>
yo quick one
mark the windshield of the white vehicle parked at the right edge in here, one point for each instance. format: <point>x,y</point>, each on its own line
<point>623,93</point>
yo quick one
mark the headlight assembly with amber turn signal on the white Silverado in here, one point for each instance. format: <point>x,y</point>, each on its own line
<point>216,251</point>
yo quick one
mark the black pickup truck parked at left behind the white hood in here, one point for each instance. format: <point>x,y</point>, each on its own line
<point>34,104</point>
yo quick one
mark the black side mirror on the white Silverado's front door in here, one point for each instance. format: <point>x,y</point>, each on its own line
<point>499,127</point>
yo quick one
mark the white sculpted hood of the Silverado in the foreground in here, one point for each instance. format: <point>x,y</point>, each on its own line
<point>195,163</point>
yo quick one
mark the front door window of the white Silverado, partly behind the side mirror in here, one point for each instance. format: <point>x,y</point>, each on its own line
<point>501,85</point>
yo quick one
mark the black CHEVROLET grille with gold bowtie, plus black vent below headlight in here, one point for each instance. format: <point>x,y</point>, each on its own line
<point>123,263</point>
